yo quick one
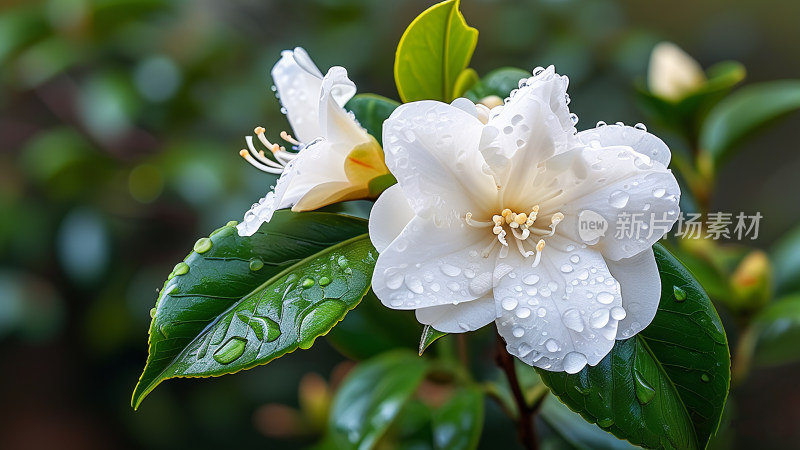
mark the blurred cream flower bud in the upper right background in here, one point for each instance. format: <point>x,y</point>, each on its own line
<point>673,74</point>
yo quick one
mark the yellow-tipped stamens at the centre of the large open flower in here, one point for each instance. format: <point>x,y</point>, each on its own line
<point>521,227</point>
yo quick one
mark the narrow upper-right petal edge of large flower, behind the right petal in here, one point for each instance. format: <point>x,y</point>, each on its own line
<point>621,135</point>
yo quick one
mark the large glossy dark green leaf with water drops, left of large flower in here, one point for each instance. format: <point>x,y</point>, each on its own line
<point>221,299</point>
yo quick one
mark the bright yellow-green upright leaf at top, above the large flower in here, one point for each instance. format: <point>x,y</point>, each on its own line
<point>434,50</point>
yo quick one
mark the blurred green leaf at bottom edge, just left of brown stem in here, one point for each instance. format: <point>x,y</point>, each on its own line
<point>459,422</point>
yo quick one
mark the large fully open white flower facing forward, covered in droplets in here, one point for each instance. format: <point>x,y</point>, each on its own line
<point>486,223</point>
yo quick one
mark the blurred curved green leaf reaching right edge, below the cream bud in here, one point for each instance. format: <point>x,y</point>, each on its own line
<point>744,112</point>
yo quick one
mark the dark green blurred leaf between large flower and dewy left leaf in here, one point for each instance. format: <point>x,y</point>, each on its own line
<point>372,329</point>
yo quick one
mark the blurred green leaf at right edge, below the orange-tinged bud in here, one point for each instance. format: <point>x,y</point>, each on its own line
<point>778,328</point>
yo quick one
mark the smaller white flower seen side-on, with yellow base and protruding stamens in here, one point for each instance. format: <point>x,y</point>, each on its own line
<point>333,158</point>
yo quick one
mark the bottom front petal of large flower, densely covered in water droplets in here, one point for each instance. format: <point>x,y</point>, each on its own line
<point>557,316</point>
